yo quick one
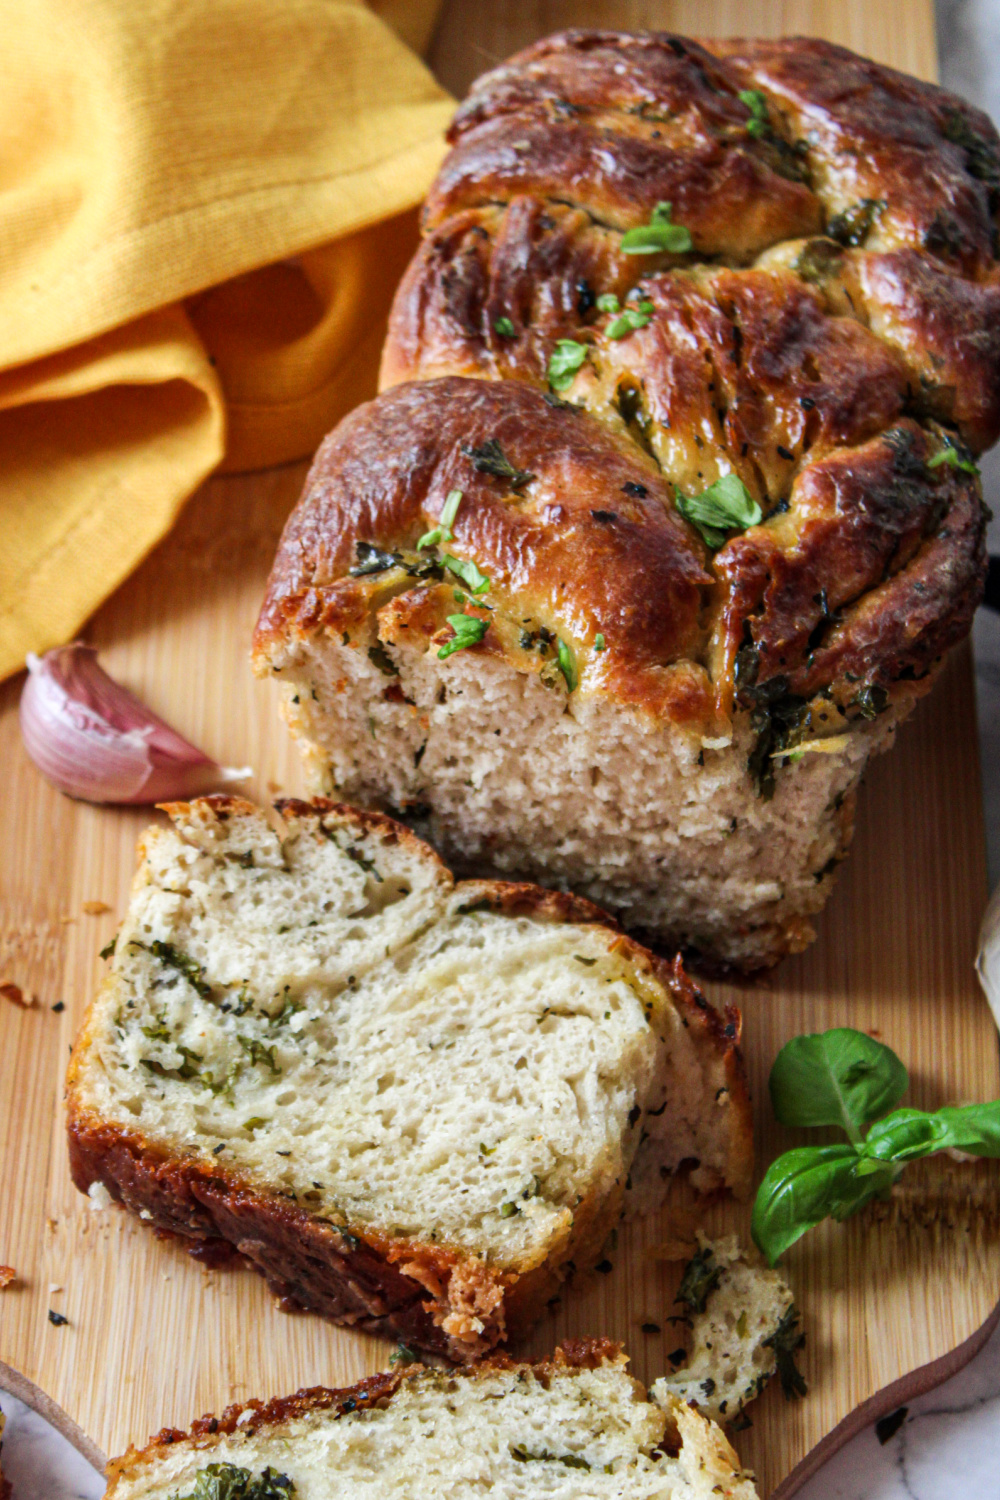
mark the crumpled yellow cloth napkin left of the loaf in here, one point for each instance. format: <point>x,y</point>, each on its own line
<point>205,209</point>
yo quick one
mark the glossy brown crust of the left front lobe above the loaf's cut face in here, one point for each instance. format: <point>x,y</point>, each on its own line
<point>555,550</point>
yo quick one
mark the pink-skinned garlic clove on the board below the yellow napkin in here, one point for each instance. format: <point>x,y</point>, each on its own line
<point>97,742</point>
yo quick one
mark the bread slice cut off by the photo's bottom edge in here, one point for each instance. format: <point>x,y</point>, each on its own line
<point>572,1427</point>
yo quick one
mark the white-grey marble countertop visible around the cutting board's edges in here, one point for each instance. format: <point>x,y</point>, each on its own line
<point>947,1447</point>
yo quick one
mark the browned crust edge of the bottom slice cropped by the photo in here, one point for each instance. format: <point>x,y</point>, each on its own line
<point>256,1417</point>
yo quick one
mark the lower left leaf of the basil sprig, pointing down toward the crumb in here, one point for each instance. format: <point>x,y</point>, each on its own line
<point>803,1189</point>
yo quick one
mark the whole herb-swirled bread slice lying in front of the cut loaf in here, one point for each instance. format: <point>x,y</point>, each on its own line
<point>413,1105</point>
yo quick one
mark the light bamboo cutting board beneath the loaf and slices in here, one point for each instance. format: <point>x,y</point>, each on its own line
<point>152,1337</point>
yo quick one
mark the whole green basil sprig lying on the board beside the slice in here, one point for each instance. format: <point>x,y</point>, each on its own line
<point>848,1079</point>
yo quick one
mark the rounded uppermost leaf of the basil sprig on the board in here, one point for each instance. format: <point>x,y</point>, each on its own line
<point>837,1078</point>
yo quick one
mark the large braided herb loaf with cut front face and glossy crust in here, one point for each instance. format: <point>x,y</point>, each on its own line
<point>669,511</point>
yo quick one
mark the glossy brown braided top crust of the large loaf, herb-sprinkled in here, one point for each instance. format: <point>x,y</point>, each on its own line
<point>827,331</point>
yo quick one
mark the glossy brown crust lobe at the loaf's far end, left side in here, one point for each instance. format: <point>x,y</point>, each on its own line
<point>615,124</point>
